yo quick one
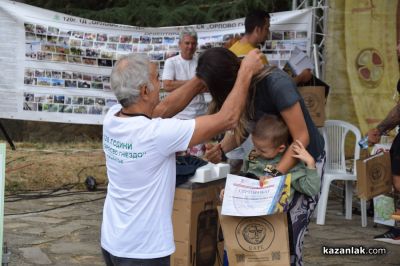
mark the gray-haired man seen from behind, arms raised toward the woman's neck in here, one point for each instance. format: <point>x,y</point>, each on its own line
<point>140,156</point>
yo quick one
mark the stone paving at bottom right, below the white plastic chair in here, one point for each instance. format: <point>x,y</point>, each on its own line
<point>339,232</point>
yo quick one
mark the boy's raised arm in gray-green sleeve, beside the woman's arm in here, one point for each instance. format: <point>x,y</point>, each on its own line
<point>306,181</point>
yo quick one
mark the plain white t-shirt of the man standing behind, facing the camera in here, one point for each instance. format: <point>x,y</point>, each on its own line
<point>177,68</point>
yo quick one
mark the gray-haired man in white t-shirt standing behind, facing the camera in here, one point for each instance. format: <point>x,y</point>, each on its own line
<point>180,69</point>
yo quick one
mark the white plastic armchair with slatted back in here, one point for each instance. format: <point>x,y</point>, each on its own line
<point>335,132</point>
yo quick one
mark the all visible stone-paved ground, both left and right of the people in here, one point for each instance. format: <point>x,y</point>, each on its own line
<point>69,233</point>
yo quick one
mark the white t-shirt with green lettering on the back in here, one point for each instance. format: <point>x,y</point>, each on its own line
<point>141,170</point>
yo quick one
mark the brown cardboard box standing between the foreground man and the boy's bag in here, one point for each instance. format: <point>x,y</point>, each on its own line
<point>197,234</point>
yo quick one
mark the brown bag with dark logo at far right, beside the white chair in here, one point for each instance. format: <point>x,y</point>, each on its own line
<point>374,176</point>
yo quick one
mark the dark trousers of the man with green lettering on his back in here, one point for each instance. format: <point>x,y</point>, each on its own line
<point>112,260</point>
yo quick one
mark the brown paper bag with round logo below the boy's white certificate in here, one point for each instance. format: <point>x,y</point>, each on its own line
<point>256,241</point>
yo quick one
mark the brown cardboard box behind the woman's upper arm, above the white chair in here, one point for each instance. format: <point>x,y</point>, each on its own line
<point>314,99</point>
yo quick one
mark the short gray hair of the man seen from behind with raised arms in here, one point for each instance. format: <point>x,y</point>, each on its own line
<point>127,77</point>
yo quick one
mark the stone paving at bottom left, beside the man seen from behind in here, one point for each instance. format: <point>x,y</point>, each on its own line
<point>63,236</point>
